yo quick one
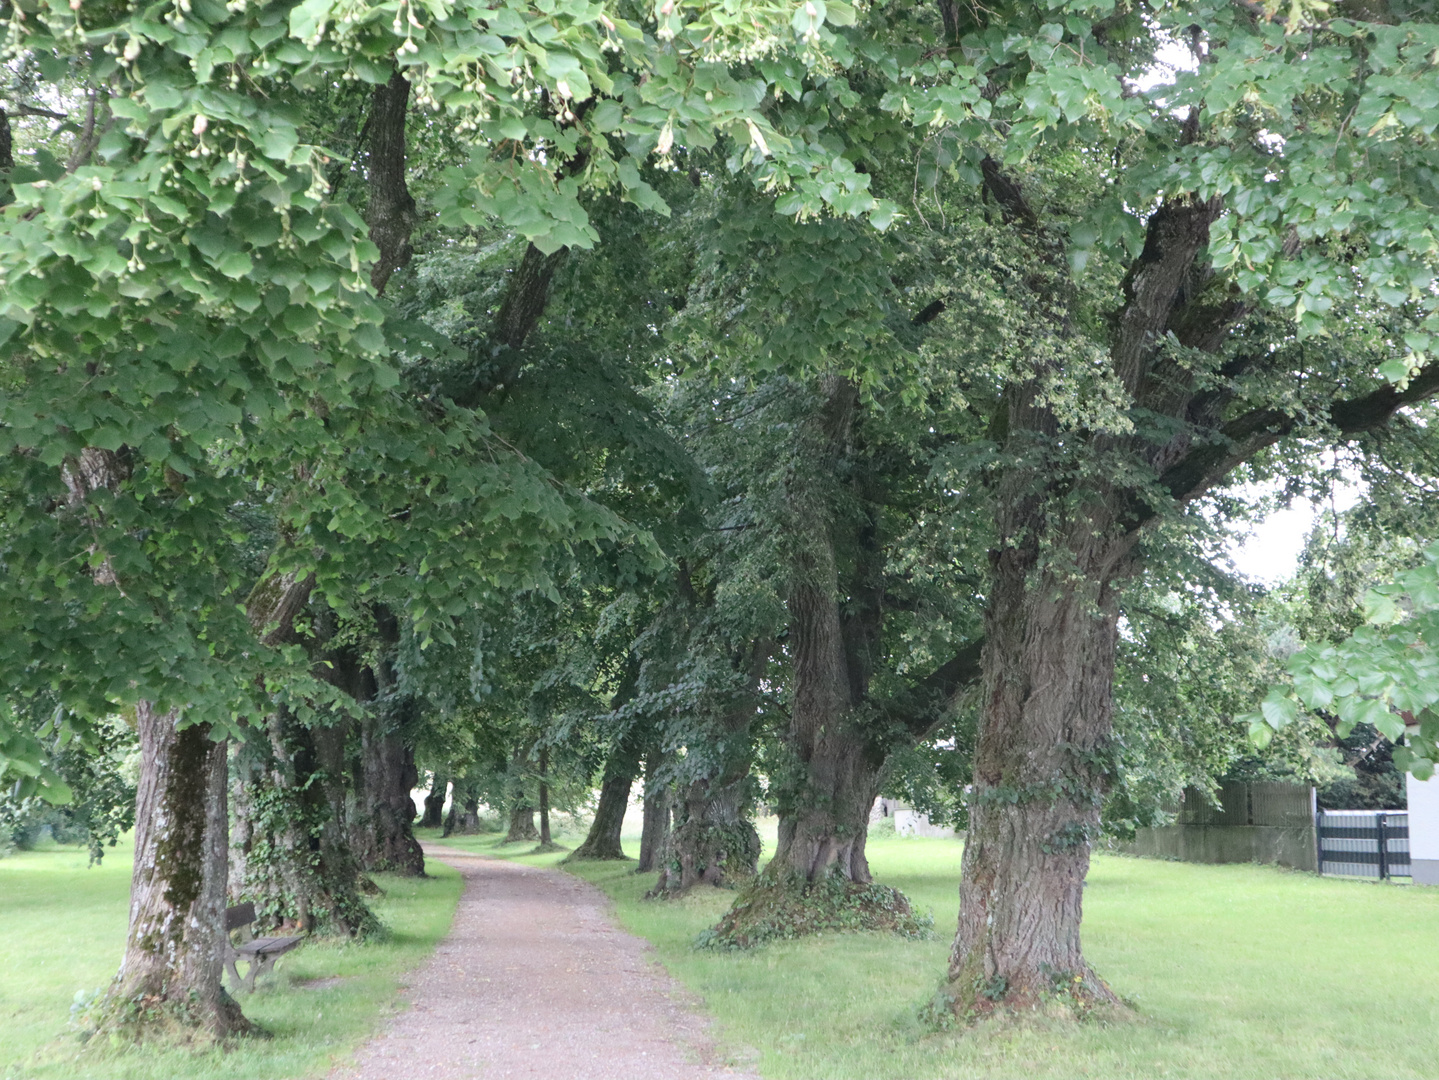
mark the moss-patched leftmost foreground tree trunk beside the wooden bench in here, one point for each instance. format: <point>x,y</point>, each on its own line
<point>175,951</point>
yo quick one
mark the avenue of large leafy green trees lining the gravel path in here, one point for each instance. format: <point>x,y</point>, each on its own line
<point>735,403</point>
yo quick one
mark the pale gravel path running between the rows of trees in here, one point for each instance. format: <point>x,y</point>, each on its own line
<point>536,980</point>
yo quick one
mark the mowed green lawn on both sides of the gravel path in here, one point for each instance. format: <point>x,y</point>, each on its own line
<point>1237,971</point>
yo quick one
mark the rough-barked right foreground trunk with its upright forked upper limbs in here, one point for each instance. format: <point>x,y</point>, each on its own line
<point>1051,626</point>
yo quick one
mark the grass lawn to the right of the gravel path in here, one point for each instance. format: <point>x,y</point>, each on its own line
<point>1238,971</point>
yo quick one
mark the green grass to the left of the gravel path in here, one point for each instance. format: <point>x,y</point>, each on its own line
<point>63,930</point>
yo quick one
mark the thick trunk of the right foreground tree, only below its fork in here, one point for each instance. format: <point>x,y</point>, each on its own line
<point>1035,806</point>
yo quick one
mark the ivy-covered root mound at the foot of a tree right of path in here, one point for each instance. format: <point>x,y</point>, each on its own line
<point>773,908</point>
